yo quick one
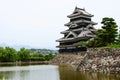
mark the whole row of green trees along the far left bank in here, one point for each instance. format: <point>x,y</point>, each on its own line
<point>8,54</point>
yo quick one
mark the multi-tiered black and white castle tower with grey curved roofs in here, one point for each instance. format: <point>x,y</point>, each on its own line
<point>80,28</point>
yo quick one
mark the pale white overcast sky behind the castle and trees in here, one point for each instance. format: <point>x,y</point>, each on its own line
<point>38,23</point>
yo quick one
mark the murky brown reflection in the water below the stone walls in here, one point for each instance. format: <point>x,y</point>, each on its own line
<point>68,74</point>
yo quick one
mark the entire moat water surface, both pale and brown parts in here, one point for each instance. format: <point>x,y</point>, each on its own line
<point>50,72</point>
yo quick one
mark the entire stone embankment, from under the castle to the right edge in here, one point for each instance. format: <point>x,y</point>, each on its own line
<point>95,59</point>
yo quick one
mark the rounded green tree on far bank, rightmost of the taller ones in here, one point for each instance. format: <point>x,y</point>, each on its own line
<point>23,54</point>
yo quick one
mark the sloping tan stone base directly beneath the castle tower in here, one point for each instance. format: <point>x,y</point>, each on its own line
<point>68,59</point>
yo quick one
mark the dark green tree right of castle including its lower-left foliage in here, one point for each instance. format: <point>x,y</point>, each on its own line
<point>107,34</point>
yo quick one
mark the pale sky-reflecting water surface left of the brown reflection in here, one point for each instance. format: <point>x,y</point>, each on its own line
<point>38,72</point>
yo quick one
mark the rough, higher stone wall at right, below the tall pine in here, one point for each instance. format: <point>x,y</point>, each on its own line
<point>101,59</point>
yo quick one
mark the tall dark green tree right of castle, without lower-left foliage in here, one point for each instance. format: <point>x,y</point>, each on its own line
<point>109,30</point>
